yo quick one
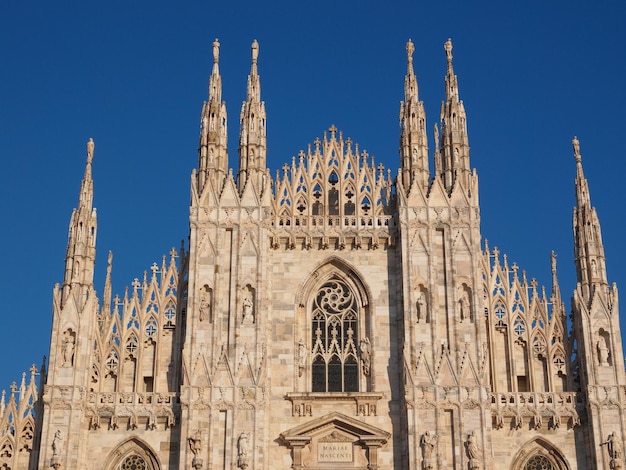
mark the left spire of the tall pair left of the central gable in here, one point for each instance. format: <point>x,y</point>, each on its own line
<point>213,153</point>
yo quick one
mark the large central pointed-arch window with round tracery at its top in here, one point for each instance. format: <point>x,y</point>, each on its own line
<point>335,336</point>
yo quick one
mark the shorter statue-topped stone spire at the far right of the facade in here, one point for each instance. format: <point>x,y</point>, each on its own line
<point>588,247</point>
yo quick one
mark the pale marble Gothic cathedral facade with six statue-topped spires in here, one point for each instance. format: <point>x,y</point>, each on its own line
<point>333,316</point>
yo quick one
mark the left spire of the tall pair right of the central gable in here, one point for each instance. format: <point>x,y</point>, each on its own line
<point>413,140</point>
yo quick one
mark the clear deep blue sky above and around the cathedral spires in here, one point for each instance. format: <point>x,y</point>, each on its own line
<point>133,75</point>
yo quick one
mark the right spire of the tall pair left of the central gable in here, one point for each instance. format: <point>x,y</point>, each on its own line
<point>252,136</point>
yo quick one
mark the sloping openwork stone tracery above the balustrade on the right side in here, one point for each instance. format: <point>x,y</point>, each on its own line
<point>526,326</point>
